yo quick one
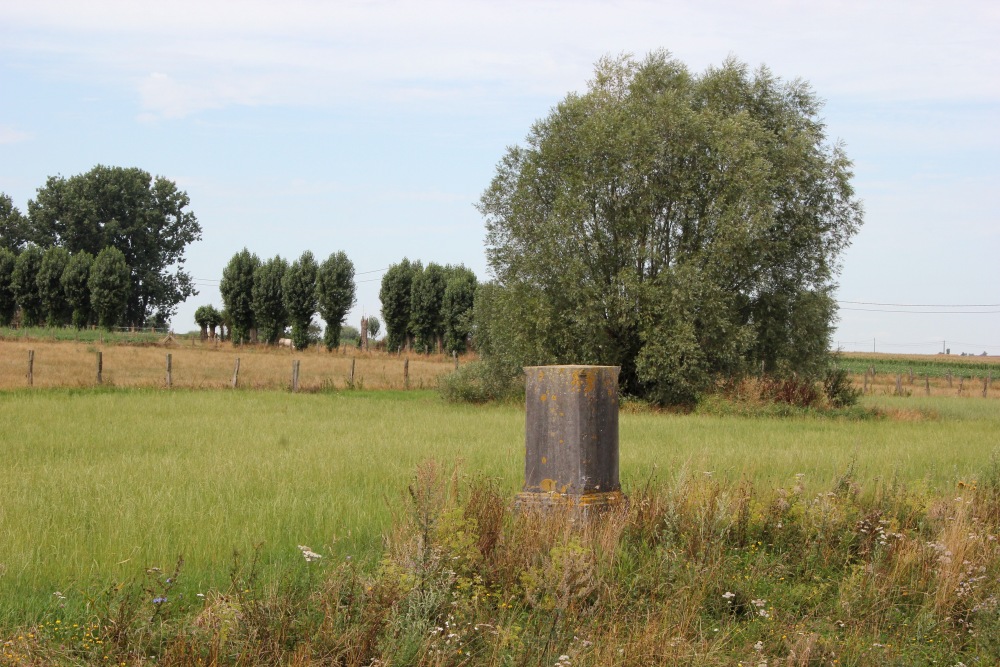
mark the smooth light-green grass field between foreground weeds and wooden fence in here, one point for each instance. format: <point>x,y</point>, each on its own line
<point>99,485</point>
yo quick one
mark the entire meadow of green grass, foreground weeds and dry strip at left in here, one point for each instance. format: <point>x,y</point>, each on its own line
<point>106,488</point>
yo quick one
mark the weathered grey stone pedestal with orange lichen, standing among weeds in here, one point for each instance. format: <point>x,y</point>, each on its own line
<point>571,436</point>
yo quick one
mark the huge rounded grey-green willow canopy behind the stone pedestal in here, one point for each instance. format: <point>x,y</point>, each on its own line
<point>681,226</point>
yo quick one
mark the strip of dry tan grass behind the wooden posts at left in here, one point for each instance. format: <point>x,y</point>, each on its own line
<point>210,366</point>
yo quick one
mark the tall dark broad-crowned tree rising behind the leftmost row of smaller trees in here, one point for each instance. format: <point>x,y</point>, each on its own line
<point>145,218</point>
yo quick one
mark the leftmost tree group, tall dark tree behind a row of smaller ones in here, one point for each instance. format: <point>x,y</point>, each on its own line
<point>105,247</point>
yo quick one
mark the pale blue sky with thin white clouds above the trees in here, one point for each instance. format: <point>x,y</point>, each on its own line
<point>374,127</point>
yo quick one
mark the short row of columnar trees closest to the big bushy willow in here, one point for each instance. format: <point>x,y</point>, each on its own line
<point>428,308</point>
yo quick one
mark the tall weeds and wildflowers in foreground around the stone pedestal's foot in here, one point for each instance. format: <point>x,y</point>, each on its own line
<point>696,570</point>
